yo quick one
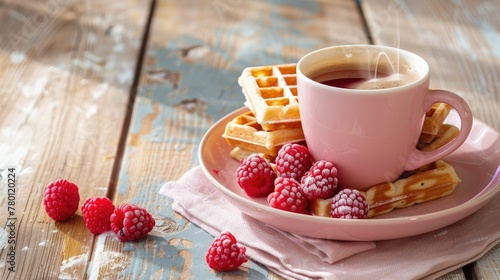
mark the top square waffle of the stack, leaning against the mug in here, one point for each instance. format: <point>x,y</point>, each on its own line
<point>271,92</point>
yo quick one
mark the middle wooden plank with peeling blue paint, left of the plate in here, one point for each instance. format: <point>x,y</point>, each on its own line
<point>196,51</point>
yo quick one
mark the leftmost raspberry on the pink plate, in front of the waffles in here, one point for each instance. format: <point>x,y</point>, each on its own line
<point>255,176</point>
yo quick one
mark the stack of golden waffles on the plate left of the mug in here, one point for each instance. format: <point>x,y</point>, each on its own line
<point>273,118</point>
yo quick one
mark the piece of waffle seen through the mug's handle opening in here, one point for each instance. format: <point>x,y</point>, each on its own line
<point>433,120</point>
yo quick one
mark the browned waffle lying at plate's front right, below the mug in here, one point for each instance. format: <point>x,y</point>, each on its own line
<point>427,183</point>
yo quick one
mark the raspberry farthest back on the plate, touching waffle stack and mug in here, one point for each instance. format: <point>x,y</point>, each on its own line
<point>293,161</point>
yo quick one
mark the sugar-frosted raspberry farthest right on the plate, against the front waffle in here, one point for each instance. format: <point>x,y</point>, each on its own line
<point>349,204</point>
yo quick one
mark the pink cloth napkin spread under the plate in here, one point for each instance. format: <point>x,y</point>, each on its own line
<point>297,257</point>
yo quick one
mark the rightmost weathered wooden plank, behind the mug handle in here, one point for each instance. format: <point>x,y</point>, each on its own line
<point>460,41</point>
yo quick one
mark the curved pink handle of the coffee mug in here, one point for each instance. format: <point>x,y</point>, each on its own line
<point>419,158</point>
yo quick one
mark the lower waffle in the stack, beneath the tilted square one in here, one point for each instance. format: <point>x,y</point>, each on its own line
<point>246,133</point>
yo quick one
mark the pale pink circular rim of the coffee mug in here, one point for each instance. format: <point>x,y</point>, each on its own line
<point>424,74</point>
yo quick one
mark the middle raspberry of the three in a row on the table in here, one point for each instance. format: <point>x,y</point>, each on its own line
<point>96,214</point>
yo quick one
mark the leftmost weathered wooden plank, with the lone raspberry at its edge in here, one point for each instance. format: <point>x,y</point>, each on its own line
<point>65,80</point>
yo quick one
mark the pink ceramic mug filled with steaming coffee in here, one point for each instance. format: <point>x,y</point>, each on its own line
<point>368,122</point>
